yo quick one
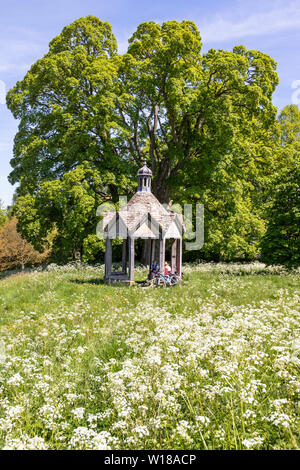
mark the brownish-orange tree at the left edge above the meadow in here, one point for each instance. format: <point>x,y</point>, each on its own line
<point>15,251</point>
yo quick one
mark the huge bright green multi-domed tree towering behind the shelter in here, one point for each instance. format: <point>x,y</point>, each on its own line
<point>204,122</point>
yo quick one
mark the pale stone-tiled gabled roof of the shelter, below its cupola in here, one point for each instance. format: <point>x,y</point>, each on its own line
<point>140,204</point>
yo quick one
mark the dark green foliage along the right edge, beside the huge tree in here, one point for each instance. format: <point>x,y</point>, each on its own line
<point>281,242</point>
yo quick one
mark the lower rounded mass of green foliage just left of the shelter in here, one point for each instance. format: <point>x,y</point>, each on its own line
<point>66,208</point>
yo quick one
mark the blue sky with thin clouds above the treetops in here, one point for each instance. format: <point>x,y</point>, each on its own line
<point>26,27</point>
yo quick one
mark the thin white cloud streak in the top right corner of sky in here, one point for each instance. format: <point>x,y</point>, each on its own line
<point>270,21</point>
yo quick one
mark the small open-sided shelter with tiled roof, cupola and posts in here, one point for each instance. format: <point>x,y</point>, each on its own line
<point>142,217</point>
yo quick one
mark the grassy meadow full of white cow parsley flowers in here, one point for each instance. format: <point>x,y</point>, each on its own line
<point>211,364</point>
